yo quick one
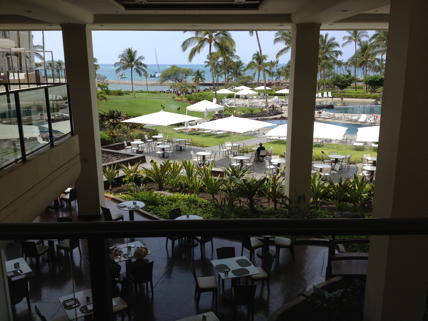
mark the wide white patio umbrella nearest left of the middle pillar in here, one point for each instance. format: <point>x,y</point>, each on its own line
<point>234,124</point>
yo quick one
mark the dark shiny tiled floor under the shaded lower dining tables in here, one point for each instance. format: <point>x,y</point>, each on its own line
<point>174,285</point>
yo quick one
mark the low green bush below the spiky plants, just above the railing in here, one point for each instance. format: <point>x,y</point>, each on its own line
<point>161,205</point>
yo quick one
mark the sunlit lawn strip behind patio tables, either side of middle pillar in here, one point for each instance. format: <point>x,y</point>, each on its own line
<point>278,148</point>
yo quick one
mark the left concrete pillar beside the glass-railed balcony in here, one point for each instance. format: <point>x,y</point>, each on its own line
<point>81,78</point>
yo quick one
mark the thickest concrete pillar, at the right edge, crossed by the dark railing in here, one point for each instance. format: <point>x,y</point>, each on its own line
<point>397,280</point>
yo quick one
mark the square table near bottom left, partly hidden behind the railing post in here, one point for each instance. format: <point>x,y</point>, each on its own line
<point>84,299</point>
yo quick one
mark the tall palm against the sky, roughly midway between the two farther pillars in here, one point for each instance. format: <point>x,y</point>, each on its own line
<point>219,40</point>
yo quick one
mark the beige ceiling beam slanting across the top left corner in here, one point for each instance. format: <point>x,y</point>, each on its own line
<point>50,11</point>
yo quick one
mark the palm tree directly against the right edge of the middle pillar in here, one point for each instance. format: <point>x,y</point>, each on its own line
<point>328,54</point>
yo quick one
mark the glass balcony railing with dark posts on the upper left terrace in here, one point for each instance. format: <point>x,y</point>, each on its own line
<point>31,119</point>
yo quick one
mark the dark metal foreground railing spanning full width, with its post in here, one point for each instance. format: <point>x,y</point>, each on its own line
<point>97,234</point>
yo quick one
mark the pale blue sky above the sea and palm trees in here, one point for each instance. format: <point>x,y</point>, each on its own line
<point>107,45</point>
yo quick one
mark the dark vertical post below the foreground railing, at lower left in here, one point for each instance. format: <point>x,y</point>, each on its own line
<point>100,279</point>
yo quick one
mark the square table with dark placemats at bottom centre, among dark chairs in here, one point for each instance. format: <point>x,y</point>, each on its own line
<point>233,264</point>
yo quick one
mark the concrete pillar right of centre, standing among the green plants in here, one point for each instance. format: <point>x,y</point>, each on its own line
<point>301,106</point>
